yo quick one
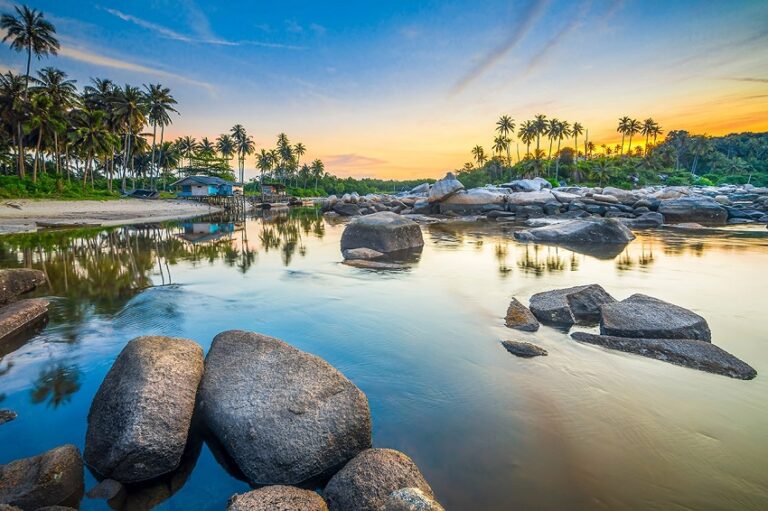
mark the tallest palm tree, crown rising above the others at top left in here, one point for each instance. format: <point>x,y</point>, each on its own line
<point>30,31</point>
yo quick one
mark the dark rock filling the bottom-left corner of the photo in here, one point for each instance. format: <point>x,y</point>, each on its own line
<point>52,478</point>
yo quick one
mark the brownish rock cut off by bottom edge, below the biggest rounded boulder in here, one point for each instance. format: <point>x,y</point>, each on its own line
<point>277,498</point>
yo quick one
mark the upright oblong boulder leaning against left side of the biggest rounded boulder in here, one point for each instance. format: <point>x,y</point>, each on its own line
<point>140,417</point>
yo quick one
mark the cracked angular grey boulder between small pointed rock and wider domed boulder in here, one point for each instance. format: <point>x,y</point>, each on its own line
<point>566,307</point>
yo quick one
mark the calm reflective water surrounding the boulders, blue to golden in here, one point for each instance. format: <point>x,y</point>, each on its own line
<point>584,428</point>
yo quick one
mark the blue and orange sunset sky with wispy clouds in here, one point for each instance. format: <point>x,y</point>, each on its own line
<point>404,89</point>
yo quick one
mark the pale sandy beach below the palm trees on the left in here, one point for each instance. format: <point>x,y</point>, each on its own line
<point>20,215</point>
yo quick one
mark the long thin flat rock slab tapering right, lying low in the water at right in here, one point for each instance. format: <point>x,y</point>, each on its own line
<point>692,353</point>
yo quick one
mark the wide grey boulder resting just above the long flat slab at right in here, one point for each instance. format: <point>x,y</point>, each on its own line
<point>645,316</point>
